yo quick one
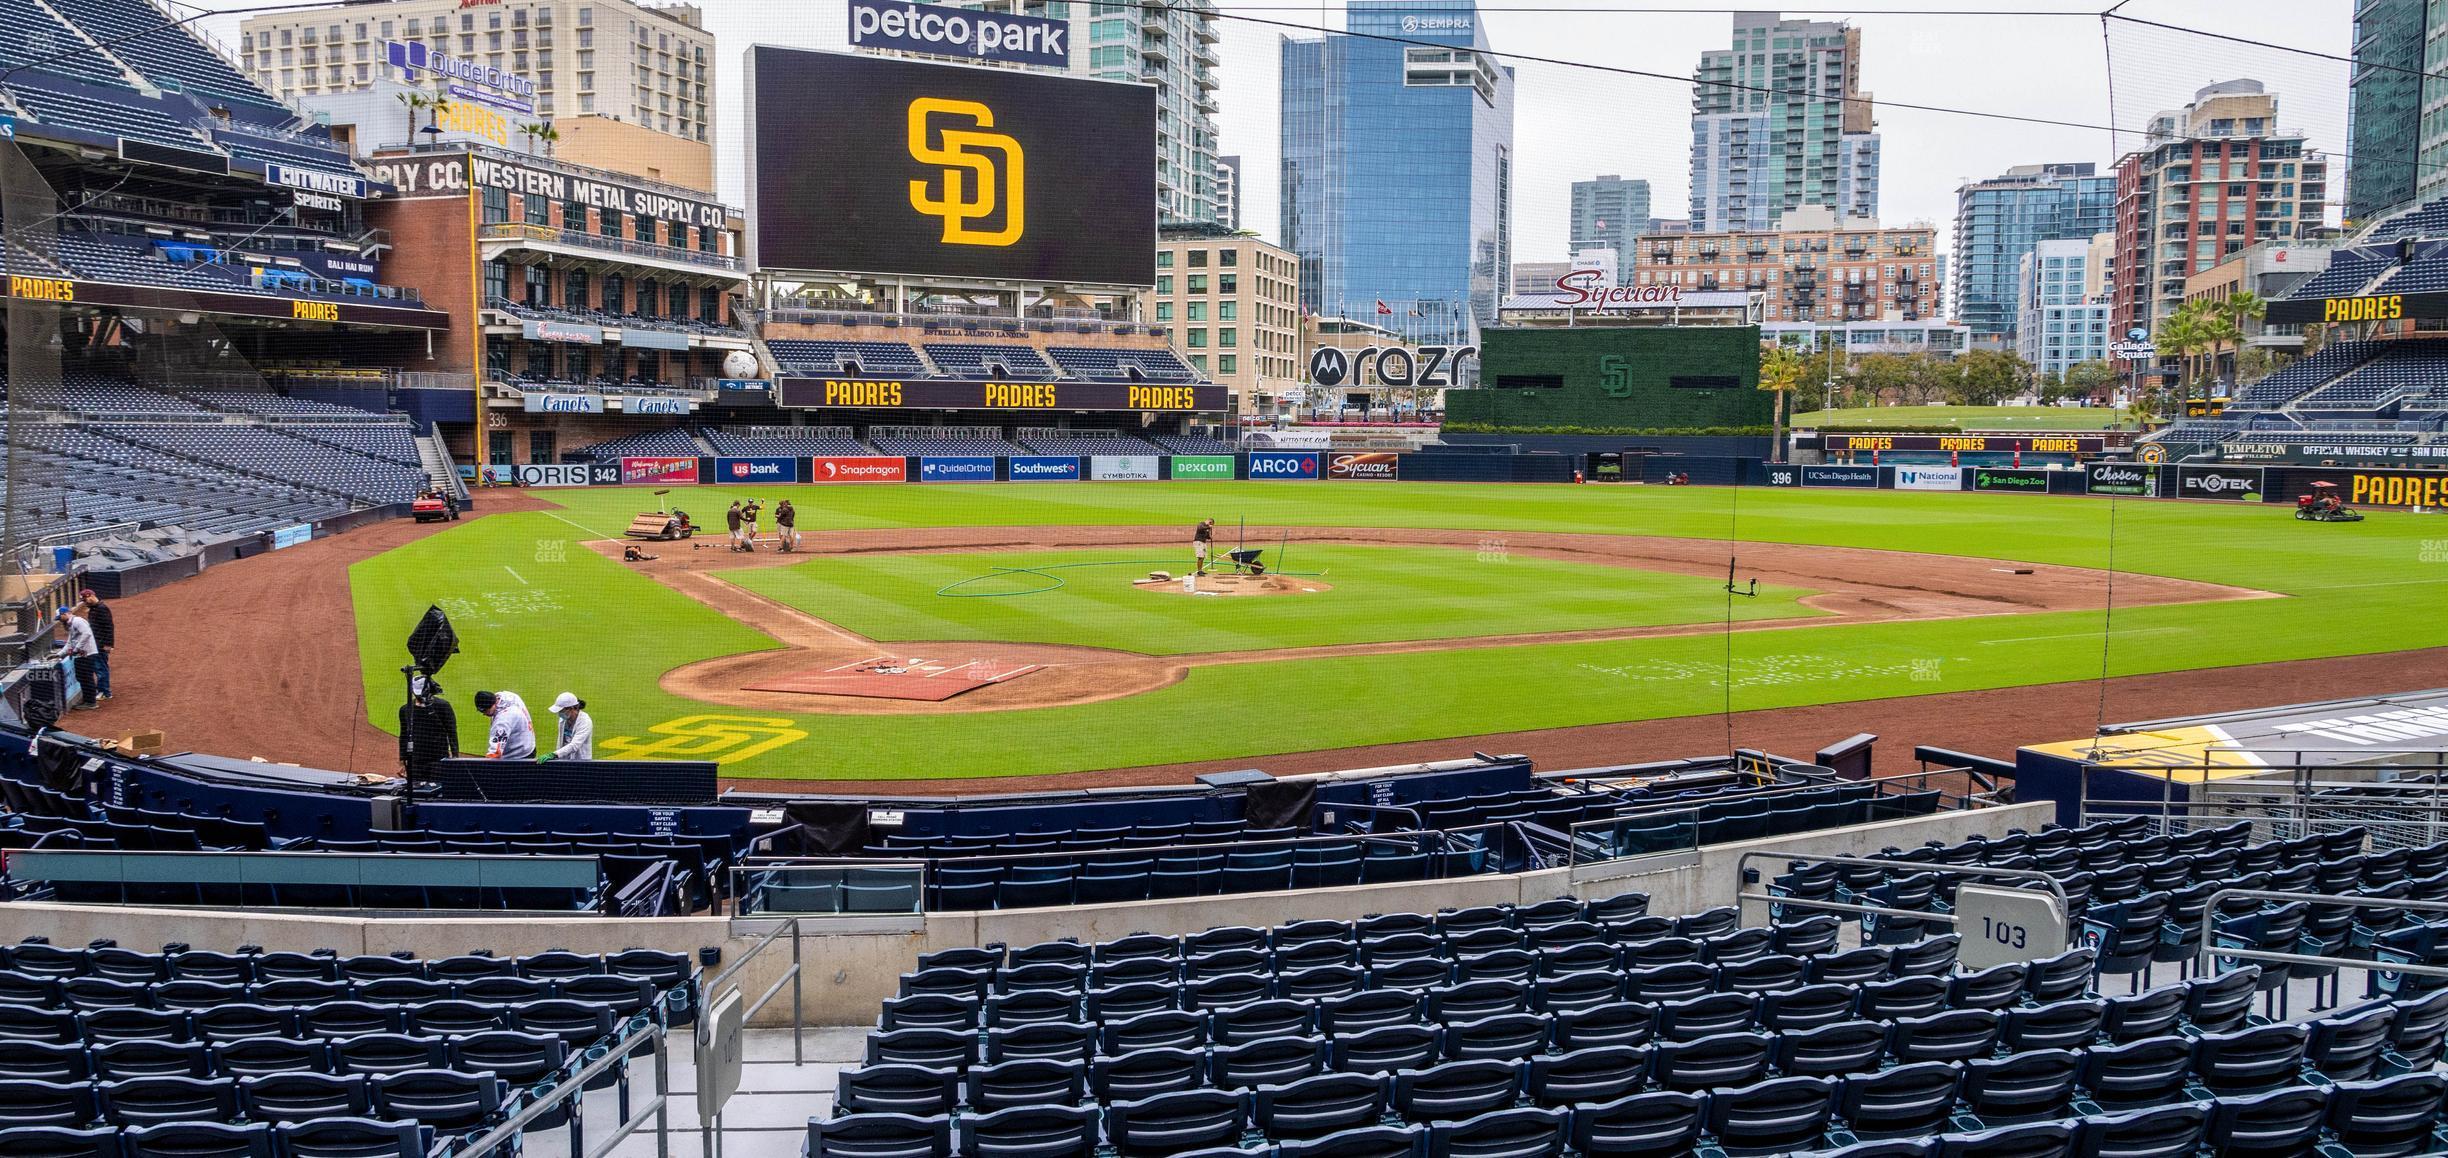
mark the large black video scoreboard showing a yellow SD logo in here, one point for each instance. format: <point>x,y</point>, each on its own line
<point>944,170</point>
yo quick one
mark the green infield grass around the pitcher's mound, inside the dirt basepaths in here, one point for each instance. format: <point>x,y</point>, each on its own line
<point>1377,594</point>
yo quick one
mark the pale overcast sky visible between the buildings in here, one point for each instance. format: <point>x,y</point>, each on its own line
<point>1575,124</point>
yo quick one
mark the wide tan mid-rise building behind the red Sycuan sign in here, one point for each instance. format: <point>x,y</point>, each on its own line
<point>1810,268</point>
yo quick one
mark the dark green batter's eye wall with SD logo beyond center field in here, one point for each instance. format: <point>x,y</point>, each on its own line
<point>1617,378</point>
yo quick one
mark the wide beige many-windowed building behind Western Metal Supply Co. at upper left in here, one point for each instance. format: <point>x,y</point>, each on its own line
<point>650,67</point>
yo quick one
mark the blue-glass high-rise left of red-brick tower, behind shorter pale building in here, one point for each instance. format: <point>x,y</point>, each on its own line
<point>2001,219</point>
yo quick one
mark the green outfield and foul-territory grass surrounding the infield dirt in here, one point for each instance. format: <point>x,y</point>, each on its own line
<point>542,613</point>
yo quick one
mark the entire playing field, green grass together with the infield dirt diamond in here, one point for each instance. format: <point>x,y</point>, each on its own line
<point>1404,613</point>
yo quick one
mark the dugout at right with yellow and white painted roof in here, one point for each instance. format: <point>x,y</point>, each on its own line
<point>2239,763</point>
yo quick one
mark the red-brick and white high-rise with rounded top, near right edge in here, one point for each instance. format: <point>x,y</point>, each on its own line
<point>2212,180</point>
